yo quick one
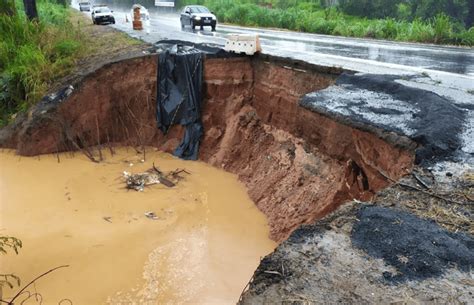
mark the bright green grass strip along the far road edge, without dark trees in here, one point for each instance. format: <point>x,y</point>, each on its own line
<point>309,17</point>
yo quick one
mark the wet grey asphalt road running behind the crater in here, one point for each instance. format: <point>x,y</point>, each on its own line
<point>452,66</point>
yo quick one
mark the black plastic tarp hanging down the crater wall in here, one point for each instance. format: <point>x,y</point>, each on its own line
<point>179,96</point>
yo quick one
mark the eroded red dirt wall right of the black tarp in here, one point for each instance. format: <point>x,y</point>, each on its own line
<point>297,165</point>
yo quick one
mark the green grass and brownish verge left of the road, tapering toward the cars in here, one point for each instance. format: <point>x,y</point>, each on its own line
<point>36,54</point>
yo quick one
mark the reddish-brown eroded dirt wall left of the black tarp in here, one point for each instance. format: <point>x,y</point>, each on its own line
<point>114,104</point>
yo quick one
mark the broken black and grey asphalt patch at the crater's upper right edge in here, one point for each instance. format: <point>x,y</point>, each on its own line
<point>366,100</point>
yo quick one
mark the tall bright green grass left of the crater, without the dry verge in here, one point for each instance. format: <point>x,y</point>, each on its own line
<point>33,55</point>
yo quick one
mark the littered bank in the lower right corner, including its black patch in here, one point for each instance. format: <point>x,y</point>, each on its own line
<point>379,252</point>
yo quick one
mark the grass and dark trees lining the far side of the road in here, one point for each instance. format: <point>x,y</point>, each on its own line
<point>427,21</point>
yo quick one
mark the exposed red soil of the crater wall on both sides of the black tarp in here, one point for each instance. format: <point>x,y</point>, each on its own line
<point>296,164</point>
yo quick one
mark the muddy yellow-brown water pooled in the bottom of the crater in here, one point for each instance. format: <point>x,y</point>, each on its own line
<point>203,248</point>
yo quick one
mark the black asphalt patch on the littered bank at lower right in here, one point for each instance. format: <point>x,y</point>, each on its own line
<point>417,248</point>
